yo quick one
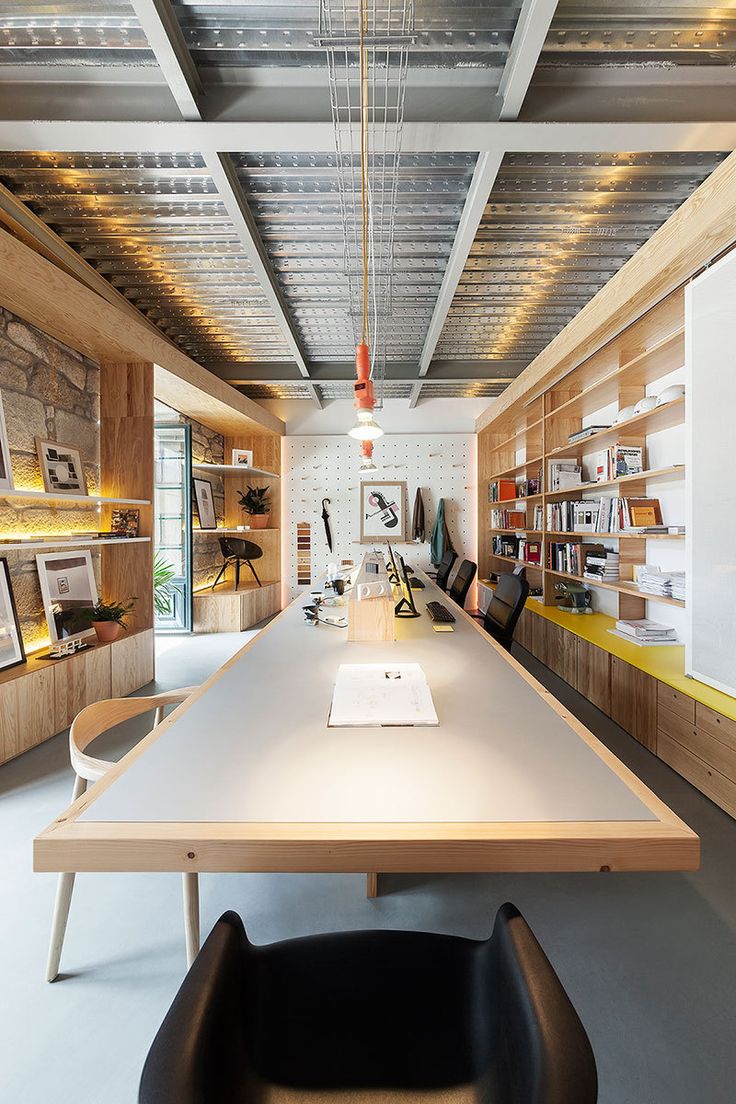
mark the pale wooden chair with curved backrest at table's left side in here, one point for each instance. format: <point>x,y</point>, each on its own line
<point>92,723</point>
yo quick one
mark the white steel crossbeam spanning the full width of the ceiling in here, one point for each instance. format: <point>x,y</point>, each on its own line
<point>90,137</point>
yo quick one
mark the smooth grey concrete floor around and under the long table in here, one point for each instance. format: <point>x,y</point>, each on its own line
<point>648,960</point>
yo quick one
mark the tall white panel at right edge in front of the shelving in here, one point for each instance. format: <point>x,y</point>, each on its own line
<point>711,475</point>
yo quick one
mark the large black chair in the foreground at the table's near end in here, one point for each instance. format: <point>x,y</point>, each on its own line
<point>398,1013</point>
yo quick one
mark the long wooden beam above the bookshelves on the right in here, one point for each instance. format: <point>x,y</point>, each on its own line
<point>702,228</point>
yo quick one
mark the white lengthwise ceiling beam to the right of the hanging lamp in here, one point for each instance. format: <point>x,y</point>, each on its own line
<point>525,52</point>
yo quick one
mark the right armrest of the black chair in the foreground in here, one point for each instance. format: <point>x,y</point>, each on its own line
<point>542,1050</point>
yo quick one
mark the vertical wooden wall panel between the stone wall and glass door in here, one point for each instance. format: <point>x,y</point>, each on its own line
<point>126,453</point>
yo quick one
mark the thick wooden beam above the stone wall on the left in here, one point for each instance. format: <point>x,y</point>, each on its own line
<point>44,295</point>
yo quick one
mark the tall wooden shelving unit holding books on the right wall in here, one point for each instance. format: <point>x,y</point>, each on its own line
<point>535,431</point>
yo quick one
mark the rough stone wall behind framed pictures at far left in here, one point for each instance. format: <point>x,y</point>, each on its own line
<point>48,391</point>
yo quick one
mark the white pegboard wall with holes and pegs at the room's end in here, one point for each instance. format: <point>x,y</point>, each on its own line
<point>317,468</point>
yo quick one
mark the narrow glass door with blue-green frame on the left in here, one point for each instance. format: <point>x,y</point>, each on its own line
<point>173,528</point>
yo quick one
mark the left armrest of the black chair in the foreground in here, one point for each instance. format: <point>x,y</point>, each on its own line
<point>197,1054</point>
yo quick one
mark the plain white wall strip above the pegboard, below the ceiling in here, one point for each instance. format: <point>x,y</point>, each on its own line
<point>433,416</point>
